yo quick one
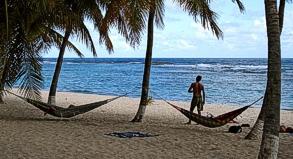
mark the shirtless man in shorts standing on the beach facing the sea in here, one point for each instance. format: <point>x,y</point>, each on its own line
<point>198,99</point>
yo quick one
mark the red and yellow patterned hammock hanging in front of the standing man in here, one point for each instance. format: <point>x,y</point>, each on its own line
<point>214,121</point>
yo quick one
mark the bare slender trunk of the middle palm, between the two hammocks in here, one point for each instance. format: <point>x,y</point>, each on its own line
<point>147,68</point>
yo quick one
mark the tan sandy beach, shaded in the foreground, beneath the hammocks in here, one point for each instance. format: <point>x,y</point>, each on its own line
<point>27,133</point>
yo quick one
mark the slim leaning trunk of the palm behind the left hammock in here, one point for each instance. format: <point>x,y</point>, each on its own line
<point>53,88</point>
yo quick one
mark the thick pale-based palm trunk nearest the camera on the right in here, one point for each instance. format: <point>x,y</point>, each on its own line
<point>270,138</point>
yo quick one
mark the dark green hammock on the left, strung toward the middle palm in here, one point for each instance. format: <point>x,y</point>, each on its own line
<point>66,112</point>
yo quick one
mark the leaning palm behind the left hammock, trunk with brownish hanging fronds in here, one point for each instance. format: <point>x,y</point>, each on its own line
<point>117,14</point>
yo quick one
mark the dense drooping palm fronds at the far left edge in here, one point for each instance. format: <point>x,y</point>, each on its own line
<point>21,44</point>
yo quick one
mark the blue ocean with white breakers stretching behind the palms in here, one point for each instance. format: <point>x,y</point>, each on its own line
<point>229,81</point>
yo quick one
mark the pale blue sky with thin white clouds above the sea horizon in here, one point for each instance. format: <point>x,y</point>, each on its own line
<point>244,35</point>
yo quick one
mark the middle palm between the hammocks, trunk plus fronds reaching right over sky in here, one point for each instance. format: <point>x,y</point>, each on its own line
<point>194,8</point>
